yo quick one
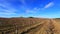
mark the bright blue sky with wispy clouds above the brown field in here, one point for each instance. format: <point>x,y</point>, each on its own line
<point>27,8</point>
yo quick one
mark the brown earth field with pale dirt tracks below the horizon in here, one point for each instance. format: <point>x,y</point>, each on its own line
<point>29,26</point>
